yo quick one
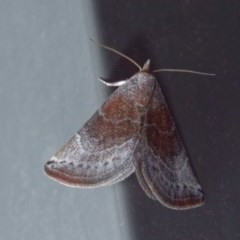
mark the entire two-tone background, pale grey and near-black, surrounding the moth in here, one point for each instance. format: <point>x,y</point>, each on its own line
<point>49,88</point>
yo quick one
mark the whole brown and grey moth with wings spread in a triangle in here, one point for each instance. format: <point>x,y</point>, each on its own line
<point>133,131</point>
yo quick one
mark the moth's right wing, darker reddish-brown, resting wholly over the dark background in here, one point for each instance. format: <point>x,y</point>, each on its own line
<point>162,162</point>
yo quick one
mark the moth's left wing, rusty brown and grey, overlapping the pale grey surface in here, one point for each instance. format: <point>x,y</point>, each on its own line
<point>101,152</point>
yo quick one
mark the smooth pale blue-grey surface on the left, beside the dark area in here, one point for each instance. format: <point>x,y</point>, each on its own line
<point>48,90</point>
